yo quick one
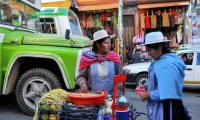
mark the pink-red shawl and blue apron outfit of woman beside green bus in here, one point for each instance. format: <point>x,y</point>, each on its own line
<point>92,72</point>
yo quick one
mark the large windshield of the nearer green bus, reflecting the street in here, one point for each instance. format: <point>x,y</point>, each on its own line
<point>18,14</point>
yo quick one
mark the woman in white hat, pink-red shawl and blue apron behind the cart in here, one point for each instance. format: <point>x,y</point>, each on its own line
<point>98,67</point>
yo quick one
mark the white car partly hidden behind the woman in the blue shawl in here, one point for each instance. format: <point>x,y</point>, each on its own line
<point>139,71</point>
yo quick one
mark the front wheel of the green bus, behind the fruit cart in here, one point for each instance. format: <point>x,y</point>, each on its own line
<point>31,87</point>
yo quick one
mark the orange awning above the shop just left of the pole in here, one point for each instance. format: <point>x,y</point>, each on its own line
<point>86,5</point>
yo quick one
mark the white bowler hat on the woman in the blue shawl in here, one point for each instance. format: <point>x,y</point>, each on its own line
<point>154,37</point>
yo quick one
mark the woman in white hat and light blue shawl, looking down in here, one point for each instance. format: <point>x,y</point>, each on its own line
<point>165,81</point>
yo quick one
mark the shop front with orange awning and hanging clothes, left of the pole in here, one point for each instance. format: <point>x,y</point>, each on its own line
<point>96,15</point>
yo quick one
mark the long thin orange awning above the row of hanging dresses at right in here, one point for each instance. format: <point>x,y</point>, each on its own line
<point>158,5</point>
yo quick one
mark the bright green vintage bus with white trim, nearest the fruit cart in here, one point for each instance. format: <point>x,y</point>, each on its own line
<point>33,63</point>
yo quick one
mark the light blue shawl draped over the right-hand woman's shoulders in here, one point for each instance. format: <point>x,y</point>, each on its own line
<point>169,70</point>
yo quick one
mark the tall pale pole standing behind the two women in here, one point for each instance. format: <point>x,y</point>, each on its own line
<point>120,29</point>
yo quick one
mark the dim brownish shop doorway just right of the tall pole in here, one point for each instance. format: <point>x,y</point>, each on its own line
<point>128,32</point>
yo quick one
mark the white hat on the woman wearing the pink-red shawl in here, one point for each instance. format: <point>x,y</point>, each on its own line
<point>102,34</point>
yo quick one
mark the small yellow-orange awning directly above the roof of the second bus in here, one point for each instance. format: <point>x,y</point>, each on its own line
<point>56,3</point>
